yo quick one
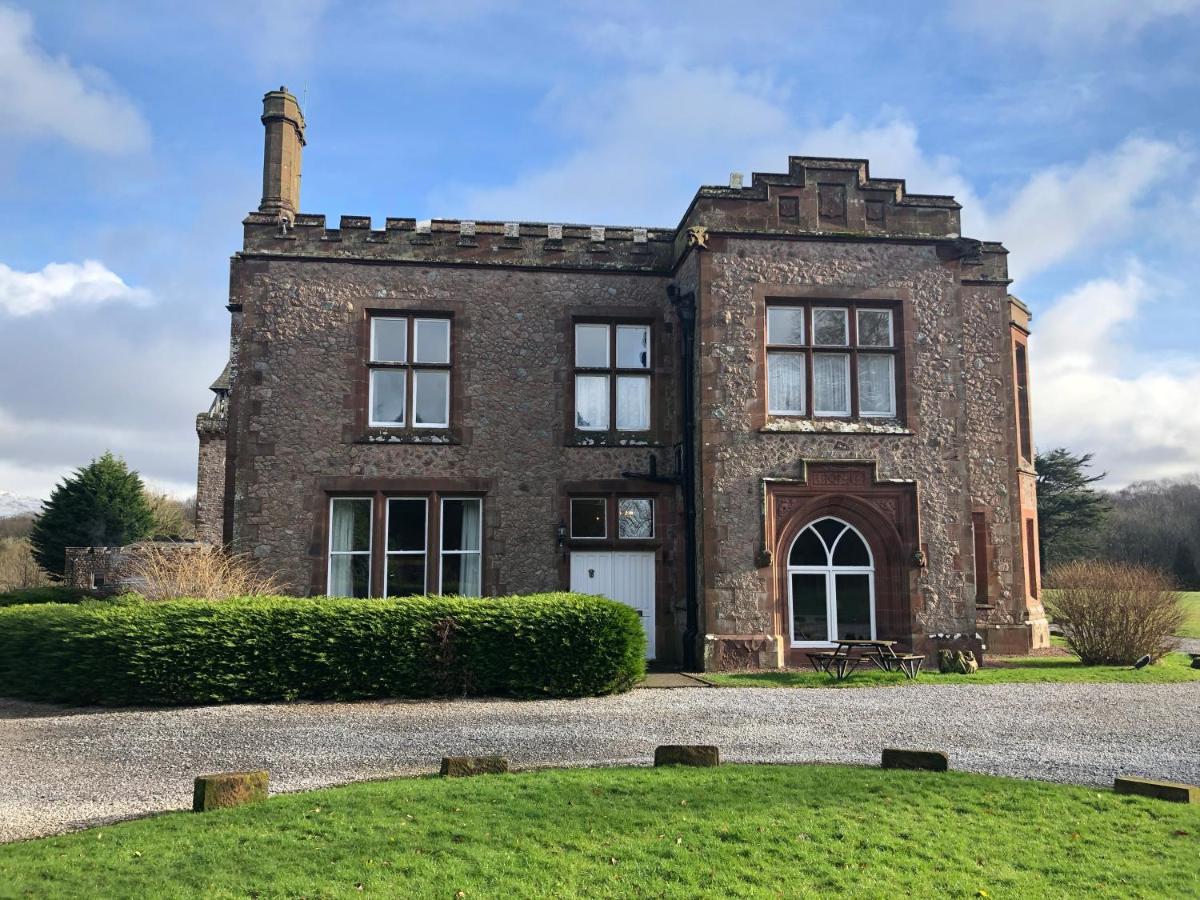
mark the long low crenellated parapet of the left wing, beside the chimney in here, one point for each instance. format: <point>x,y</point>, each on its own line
<point>463,242</point>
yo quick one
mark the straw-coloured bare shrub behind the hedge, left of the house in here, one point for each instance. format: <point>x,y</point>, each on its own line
<point>196,571</point>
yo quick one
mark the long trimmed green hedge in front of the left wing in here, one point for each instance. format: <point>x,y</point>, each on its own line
<point>286,649</point>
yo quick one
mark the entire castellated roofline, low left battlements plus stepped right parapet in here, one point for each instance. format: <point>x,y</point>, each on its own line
<point>818,199</point>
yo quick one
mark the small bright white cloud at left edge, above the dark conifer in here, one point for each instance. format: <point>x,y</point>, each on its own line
<point>88,284</point>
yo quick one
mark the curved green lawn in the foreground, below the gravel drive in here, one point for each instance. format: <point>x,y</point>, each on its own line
<point>740,831</point>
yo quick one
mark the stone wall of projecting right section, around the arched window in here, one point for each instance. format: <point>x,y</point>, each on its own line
<point>955,443</point>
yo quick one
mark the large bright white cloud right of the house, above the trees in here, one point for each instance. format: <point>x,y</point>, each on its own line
<point>1093,392</point>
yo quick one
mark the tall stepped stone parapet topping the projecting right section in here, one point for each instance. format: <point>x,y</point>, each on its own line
<point>825,197</point>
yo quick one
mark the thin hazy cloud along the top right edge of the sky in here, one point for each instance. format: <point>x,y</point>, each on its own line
<point>1054,23</point>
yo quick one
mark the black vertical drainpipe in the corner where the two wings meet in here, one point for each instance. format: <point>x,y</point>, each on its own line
<point>686,309</point>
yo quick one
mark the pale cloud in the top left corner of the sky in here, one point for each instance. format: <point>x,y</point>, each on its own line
<point>47,97</point>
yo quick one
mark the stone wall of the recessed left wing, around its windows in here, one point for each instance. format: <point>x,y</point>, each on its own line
<point>299,395</point>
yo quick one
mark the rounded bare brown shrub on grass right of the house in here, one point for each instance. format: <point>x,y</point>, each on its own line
<point>1114,614</point>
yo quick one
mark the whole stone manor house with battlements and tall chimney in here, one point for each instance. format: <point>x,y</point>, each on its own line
<point>801,415</point>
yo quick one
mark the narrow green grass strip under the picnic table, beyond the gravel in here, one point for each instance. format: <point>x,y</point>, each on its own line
<point>1173,668</point>
